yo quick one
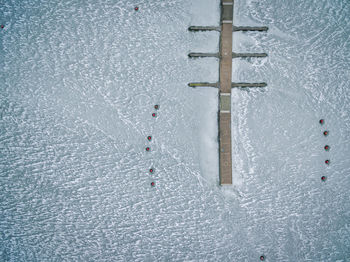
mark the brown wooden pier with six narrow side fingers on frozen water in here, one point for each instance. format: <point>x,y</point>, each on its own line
<point>225,82</point>
